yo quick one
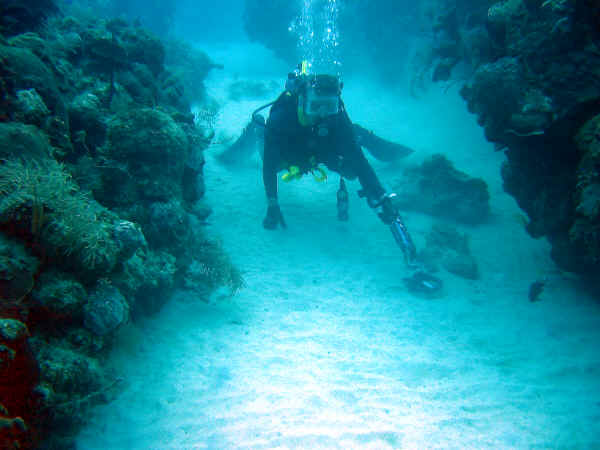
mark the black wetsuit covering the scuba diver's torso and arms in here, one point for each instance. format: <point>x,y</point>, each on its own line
<point>288,143</point>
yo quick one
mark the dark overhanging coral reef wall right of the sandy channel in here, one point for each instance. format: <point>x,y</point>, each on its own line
<point>535,91</point>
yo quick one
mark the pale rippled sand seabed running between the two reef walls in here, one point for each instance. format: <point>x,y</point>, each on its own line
<point>326,349</point>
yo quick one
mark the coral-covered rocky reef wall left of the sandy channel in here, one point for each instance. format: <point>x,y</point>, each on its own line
<point>101,207</point>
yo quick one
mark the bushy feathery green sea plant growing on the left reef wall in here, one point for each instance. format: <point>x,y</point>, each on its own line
<point>45,205</point>
